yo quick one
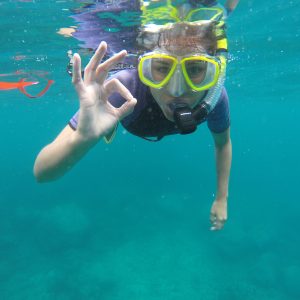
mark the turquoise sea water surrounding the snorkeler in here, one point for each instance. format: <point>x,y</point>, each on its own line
<point>130,221</point>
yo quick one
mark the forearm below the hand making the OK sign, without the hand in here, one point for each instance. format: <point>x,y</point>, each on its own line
<point>60,156</point>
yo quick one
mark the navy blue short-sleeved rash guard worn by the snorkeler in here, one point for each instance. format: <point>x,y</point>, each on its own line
<point>147,120</point>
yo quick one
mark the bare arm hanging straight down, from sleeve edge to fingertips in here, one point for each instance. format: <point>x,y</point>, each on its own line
<point>223,150</point>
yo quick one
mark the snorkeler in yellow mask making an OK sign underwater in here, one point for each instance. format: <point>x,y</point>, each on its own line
<point>178,85</point>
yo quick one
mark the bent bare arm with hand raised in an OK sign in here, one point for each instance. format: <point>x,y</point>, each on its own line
<point>97,117</point>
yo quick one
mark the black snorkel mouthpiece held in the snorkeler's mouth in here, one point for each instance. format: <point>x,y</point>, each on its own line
<point>187,119</point>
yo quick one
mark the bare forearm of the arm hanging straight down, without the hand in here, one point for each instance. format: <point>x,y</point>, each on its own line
<point>223,165</point>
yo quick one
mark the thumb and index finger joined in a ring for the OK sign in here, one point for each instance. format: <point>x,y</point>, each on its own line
<point>115,85</point>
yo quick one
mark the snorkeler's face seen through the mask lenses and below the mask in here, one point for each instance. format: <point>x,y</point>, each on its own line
<point>176,90</point>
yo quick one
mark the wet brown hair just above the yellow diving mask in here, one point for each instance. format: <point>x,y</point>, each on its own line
<point>184,37</point>
